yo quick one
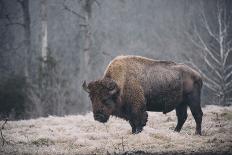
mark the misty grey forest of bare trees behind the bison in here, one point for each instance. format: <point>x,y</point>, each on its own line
<point>49,47</point>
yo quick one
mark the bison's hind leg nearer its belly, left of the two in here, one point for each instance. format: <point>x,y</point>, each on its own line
<point>181,113</point>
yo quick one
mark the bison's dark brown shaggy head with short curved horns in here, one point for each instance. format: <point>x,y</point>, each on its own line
<point>103,94</point>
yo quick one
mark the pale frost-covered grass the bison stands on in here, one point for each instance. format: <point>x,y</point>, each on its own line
<point>82,135</point>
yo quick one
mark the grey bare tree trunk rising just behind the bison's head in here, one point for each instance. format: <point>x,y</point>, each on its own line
<point>84,15</point>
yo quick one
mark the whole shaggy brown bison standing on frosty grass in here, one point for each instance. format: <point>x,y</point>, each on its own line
<point>132,85</point>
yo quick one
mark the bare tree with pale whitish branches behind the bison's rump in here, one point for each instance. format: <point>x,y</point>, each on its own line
<point>216,46</point>
